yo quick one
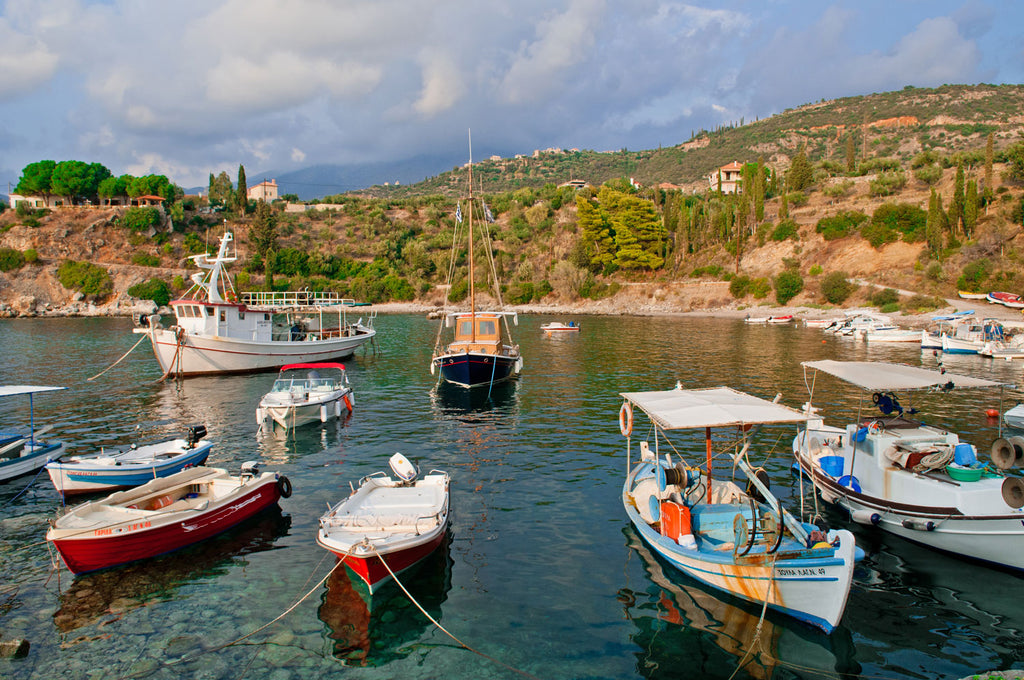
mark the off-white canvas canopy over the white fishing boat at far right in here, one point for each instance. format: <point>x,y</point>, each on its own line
<point>878,376</point>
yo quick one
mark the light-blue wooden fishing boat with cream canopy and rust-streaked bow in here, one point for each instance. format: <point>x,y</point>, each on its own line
<point>740,541</point>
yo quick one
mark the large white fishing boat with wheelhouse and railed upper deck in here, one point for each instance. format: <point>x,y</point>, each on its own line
<point>219,331</point>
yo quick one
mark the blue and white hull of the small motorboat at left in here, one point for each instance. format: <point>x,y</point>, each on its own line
<point>88,477</point>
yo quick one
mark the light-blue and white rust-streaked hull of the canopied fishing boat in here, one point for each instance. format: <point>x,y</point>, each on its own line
<point>813,589</point>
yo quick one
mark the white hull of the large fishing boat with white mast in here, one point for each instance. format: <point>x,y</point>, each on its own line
<point>200,355</point>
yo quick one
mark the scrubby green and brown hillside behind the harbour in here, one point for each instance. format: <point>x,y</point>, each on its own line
<point>394,243</point>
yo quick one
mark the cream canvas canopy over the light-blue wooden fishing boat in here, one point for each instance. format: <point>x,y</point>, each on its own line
<point>717,407</point>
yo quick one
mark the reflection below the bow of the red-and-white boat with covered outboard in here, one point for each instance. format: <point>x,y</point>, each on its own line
<point>372,630</point>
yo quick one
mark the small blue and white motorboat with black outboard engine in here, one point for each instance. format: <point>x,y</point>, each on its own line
<point>130,467</point>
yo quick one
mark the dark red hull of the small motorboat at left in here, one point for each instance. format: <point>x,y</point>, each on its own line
<point>90,550</point>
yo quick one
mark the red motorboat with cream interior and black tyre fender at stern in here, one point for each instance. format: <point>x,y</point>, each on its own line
<point>162,516</point>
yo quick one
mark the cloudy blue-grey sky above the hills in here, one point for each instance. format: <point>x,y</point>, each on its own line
<point>194,88</point>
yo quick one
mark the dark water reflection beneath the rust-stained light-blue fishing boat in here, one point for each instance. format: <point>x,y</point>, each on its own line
<point>682,625</point>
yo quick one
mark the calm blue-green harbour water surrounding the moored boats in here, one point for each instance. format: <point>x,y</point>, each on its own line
<point>542,572</point>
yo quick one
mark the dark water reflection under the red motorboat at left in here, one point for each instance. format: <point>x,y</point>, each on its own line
<point>104,598</point>
